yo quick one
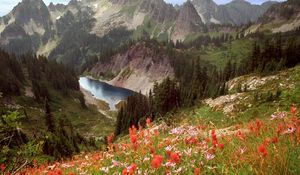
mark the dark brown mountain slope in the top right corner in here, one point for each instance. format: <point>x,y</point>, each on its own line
<point>281,17</point>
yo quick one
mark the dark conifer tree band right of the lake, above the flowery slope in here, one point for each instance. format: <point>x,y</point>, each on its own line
<point>196,79</point>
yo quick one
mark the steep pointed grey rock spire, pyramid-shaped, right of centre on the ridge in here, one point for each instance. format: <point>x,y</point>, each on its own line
<point>188,21</point>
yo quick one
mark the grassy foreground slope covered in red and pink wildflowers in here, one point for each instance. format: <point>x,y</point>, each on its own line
<point>261,138</point>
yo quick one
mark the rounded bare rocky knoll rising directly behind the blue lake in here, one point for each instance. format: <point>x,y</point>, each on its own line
<point>137,68</point>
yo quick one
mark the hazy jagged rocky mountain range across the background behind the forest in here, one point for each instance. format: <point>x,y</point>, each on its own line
<point>84,28</point>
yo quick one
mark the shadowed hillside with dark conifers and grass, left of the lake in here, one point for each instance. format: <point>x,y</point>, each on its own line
<point>44,117</point>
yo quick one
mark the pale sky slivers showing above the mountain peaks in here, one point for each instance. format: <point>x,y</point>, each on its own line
<point>7,5</point>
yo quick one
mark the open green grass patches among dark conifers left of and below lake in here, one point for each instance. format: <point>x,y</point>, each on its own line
<point>88,122</point>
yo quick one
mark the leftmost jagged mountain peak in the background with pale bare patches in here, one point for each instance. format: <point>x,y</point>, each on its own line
<point>29,22</point>
